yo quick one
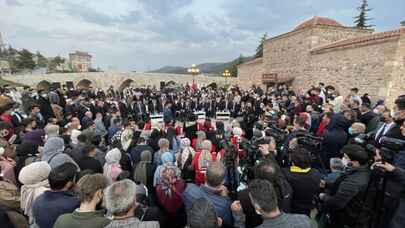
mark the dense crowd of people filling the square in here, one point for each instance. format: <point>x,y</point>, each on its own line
<point>93,158</point>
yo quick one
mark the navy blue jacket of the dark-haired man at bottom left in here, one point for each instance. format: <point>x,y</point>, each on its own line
<point>50,205</point>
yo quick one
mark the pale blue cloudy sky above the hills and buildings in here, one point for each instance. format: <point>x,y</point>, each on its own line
<point>141,35</point>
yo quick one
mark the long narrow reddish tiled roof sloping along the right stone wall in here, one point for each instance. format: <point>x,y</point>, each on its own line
<point>362,39</point>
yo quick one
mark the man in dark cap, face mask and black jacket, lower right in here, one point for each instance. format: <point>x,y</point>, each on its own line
<point>344,202</point>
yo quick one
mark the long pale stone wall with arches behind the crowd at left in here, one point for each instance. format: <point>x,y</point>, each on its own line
<point>104,80</point>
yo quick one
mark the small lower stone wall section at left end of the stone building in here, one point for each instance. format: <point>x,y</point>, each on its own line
<point>250,73</point>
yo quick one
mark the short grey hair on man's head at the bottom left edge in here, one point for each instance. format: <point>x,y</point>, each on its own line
<point>120,197</point>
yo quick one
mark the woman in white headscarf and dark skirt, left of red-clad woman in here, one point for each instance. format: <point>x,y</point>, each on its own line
<point>185,159</point>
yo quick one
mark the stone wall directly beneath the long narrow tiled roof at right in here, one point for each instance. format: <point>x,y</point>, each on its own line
<point>368,68</point>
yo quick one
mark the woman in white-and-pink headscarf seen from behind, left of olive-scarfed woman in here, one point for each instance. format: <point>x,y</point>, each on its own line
<point>112,167</point>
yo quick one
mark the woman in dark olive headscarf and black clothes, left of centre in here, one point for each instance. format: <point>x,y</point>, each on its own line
<point>144,170</point>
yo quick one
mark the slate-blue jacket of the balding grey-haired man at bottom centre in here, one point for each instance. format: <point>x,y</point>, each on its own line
<point>221,204</point>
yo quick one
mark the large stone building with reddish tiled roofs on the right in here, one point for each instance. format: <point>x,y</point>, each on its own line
<point>323,50</point>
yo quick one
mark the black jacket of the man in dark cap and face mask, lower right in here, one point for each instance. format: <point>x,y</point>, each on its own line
<point>345,202</point>
